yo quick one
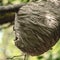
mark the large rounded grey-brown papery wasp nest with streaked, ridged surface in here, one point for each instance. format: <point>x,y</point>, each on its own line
<point>37,27</point>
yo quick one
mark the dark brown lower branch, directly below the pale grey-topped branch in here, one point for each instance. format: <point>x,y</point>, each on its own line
<point>7,18</point>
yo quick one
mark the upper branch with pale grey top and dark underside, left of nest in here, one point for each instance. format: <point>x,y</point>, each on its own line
<point>11,8</point>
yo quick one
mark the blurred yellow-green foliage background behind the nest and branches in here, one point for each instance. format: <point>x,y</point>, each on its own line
<point>8,50</point>
